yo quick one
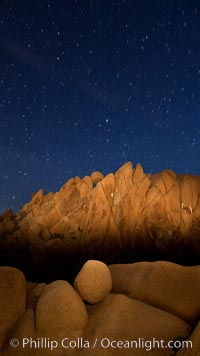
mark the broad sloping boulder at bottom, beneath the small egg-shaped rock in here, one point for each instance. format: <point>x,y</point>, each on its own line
<point>124,320</point>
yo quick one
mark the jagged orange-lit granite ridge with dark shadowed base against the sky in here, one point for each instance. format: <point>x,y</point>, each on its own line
<point>125,216</point>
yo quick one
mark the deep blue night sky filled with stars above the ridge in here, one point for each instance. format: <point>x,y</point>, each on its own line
<point>87,85</point>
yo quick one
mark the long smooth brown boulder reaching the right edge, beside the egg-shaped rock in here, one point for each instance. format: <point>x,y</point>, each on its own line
<point>165,285</point>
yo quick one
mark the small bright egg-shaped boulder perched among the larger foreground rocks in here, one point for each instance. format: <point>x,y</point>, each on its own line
<point>93,282</point>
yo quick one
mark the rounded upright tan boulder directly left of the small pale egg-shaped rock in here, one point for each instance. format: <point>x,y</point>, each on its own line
<point>60,309</point>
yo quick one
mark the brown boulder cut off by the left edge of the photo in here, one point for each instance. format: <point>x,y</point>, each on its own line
<point>12,299</point>
